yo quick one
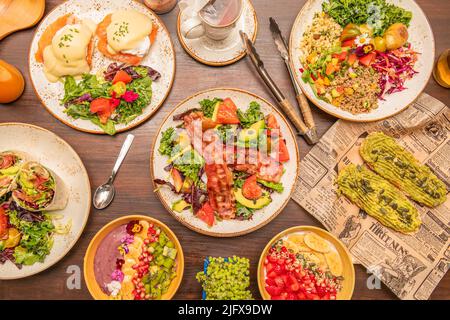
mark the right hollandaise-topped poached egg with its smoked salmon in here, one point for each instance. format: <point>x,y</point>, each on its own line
<point>126,36</point>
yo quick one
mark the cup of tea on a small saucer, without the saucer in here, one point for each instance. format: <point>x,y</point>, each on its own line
<point>216,20</point>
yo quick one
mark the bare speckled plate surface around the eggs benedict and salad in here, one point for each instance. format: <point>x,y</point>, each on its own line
<point>161,57</point>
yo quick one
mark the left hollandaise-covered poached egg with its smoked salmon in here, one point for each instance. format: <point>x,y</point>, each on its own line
<point>66,47</point>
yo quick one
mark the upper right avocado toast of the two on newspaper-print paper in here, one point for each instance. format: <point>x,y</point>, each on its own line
<point>387,158</point>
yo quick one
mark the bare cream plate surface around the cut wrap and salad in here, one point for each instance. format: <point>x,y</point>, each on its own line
<point>56,154</point>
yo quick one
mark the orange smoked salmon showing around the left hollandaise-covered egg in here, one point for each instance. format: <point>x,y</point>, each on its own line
<point>52,29</point>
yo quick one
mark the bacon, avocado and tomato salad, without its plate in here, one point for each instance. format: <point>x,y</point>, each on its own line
<point>224,162</point>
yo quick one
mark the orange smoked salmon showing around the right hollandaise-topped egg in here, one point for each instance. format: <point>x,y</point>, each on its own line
<point>122,57</point>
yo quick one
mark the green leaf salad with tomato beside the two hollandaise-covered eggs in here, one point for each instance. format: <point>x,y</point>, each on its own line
<point>116,97</point>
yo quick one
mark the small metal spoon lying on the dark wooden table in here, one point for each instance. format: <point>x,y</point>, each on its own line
<point>104,194</point>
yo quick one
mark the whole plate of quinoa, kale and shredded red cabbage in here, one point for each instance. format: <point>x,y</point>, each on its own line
<point>362,60</point>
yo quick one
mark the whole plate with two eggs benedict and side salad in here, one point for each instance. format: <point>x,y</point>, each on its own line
<point>102,66</point>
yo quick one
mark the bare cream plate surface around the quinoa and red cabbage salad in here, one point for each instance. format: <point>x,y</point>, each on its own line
<point>421,38</point>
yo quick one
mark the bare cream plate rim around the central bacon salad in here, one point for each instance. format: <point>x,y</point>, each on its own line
<point>228,228</point>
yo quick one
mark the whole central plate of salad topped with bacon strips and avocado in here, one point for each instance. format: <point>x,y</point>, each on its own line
<point>224,162</point>
